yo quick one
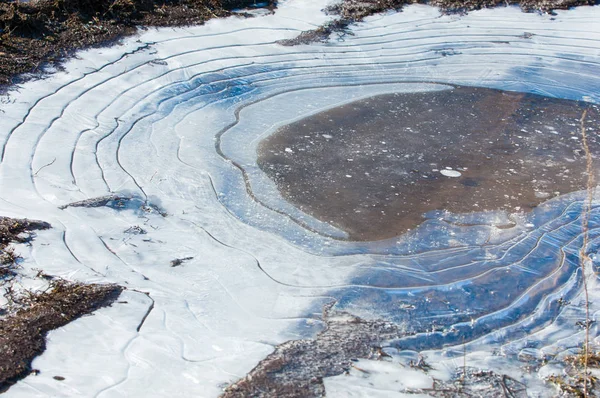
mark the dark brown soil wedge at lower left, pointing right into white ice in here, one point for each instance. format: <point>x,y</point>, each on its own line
<point>22,335</point>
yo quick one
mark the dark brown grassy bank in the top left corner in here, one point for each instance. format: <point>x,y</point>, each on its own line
<point>40,32</point>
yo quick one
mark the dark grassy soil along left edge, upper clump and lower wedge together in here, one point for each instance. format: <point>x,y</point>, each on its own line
<point>32,314</point>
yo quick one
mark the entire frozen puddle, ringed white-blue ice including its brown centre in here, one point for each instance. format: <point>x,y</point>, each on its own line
<point>146,159</point>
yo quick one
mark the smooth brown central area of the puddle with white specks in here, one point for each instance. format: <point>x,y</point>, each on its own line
<point>375,166</point>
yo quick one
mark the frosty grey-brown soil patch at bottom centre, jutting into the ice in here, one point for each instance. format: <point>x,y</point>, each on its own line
<point>297,368</point>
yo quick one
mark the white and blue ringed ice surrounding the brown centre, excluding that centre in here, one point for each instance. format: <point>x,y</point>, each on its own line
<point>170,122</point>
